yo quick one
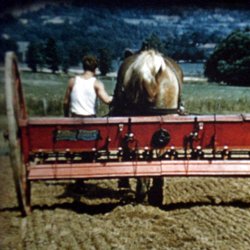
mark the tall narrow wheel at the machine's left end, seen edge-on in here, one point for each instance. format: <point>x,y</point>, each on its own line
<point>22,185</point>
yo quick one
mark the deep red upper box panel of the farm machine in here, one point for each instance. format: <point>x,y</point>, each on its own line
<point>231,131</point>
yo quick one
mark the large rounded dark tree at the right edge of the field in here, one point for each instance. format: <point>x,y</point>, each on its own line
<point>230,62</point>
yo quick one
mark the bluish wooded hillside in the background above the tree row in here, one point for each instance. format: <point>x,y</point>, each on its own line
<point>190,32</point>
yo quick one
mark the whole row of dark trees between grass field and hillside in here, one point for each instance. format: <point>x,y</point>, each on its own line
<point>229,62</point>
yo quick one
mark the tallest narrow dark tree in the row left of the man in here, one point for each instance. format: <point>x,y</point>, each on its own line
<point>51,55</point>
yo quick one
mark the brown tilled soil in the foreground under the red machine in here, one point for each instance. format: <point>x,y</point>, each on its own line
<point>197,213</point>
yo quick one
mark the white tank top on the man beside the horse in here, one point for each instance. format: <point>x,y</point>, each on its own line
<point>83,96</point>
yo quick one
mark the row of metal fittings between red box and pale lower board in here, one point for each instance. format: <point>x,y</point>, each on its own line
<point>145,154</point>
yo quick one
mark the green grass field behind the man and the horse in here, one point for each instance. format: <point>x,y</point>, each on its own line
<point>44,95</point>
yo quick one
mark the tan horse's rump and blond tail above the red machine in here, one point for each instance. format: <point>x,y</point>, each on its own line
<point>148,83</point>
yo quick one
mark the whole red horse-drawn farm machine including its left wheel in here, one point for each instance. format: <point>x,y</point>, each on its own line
<point>46,148</point>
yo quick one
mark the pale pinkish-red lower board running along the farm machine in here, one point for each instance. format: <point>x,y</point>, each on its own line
<point>134,169</point>
